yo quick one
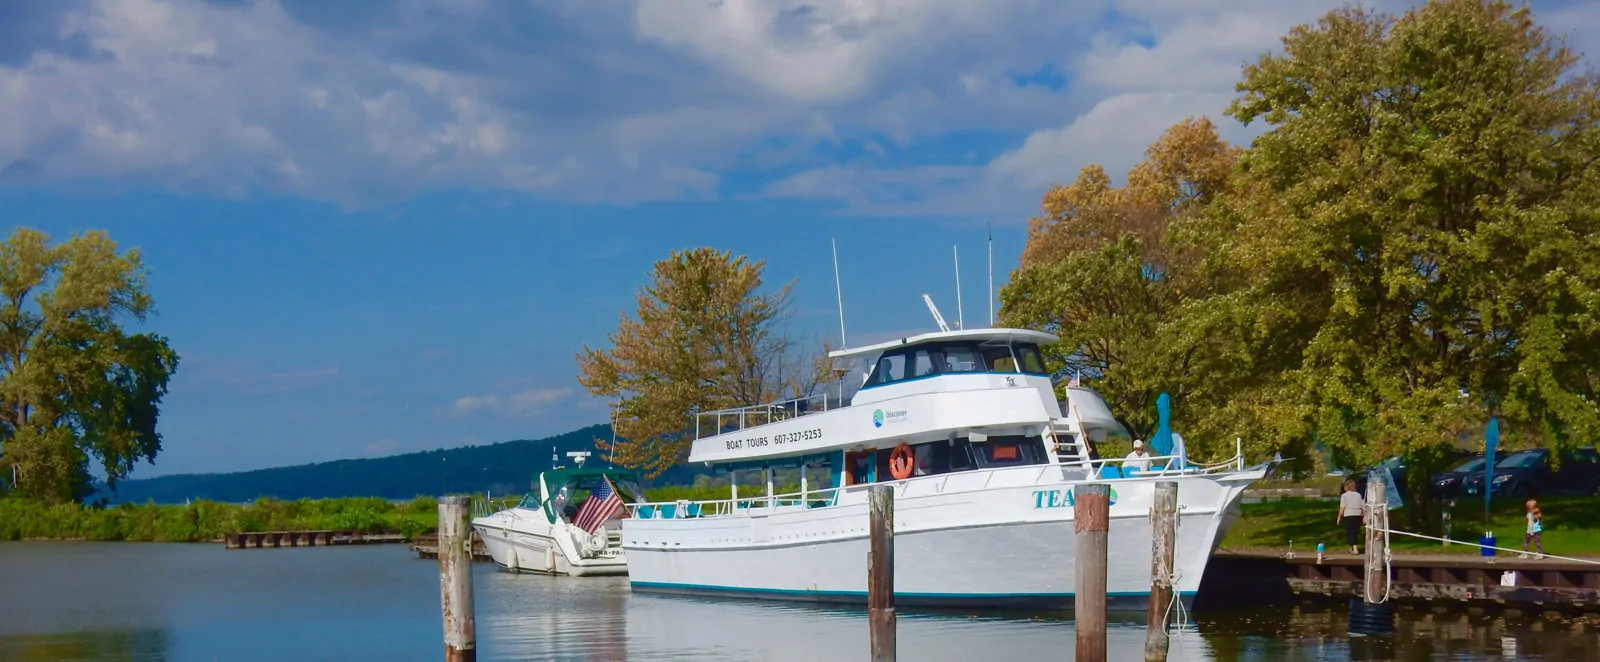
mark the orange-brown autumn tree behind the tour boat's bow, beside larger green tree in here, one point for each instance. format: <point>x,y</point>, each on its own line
<point>1111,269</point>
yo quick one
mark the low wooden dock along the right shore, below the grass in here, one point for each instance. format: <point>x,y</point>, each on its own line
<point>1438,580</point>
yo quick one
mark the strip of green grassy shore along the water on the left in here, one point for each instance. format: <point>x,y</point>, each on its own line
<point>206,520</point>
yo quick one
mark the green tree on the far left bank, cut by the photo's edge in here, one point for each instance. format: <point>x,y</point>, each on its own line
<point>74,386</point>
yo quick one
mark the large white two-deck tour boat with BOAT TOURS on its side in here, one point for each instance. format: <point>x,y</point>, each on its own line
<point>983,514</point>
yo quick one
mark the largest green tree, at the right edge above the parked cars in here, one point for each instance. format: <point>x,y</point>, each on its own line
<point>1420,225</point>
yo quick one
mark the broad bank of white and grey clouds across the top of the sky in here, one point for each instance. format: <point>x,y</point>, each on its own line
<point>374,102</point>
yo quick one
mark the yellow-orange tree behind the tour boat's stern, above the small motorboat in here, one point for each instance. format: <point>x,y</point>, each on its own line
<point>705,338</point>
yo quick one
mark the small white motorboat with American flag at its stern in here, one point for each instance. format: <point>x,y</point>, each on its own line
<point>543,533</point>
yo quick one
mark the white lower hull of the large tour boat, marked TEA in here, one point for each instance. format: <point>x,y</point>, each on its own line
<point>1028,559</point>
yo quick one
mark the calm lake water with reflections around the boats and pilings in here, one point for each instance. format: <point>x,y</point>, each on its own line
<point>159,602</point>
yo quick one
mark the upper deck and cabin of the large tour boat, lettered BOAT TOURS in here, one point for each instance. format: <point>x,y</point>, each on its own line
<point>946,402</point>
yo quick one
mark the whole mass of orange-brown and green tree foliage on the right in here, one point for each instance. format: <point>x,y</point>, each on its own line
<point>1402,255</point>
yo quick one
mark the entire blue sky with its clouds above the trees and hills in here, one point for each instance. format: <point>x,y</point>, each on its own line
<point>378,228</point>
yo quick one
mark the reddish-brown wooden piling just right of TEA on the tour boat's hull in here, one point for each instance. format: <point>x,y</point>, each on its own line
<point>1092,524</point>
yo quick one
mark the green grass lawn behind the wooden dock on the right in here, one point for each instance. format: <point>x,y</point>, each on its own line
<point>1572,527</point>
